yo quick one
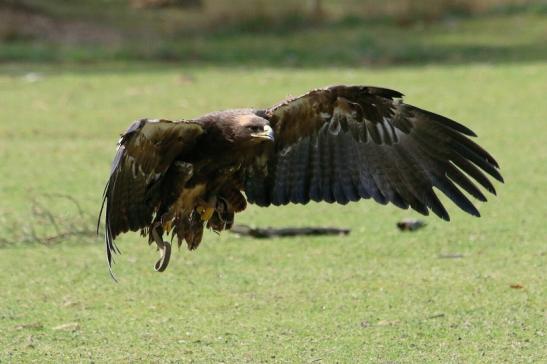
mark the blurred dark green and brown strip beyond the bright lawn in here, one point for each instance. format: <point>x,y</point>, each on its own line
<point>274,33</point>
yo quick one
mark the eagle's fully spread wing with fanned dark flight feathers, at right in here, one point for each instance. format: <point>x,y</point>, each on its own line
<point>344,143</point>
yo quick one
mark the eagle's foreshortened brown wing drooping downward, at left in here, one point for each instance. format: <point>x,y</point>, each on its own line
<point>145,152</point>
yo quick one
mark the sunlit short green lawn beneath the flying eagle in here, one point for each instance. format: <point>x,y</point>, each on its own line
<point>472,290</point>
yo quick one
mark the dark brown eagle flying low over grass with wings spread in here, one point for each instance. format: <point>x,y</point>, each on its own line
<point>336,144</point>
